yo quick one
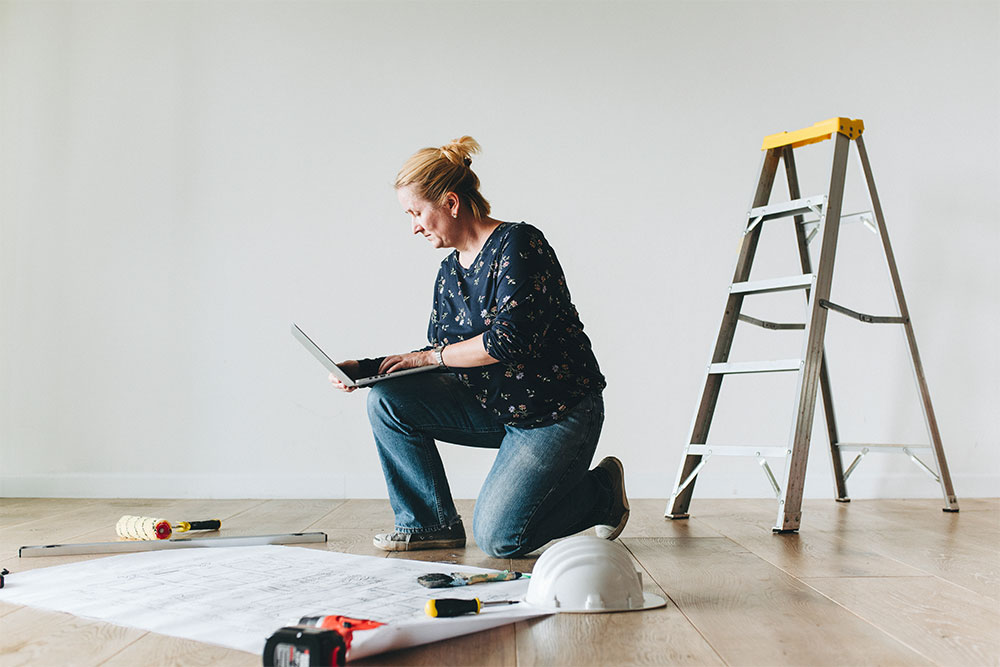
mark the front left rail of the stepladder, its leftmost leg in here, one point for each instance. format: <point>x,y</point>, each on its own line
<point>680,498</point>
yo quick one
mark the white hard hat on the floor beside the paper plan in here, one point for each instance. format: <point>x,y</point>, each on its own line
<point>587,574</point>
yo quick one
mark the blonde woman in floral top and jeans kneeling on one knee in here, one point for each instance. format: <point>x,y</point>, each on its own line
<point>517,374</point>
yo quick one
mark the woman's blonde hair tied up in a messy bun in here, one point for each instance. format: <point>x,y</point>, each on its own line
<point>434,172</point>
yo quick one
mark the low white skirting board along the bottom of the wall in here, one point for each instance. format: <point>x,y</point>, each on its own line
<point>725,484</point>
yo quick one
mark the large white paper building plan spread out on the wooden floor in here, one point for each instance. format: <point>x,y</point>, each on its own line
<point>238,596</point>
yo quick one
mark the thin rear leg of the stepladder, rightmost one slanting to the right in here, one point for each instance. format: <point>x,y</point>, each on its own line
<point>951,501</point>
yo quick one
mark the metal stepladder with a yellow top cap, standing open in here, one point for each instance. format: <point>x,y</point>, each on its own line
<point>811,367</point>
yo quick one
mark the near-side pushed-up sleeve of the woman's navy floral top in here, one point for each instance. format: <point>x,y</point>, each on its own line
<point>527,274</point>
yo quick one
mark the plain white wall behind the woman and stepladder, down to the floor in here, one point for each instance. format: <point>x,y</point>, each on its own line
<point>180,181</point>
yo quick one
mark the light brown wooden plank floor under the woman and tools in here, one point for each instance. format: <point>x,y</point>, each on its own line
<point>876,582</point>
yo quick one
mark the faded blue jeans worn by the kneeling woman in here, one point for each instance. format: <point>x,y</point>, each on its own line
<point>539,488</point>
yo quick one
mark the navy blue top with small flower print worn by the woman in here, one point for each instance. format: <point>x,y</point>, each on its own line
<point>515,291</point>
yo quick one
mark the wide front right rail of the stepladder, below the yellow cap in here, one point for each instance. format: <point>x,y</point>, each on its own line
<point>790,503</point>
